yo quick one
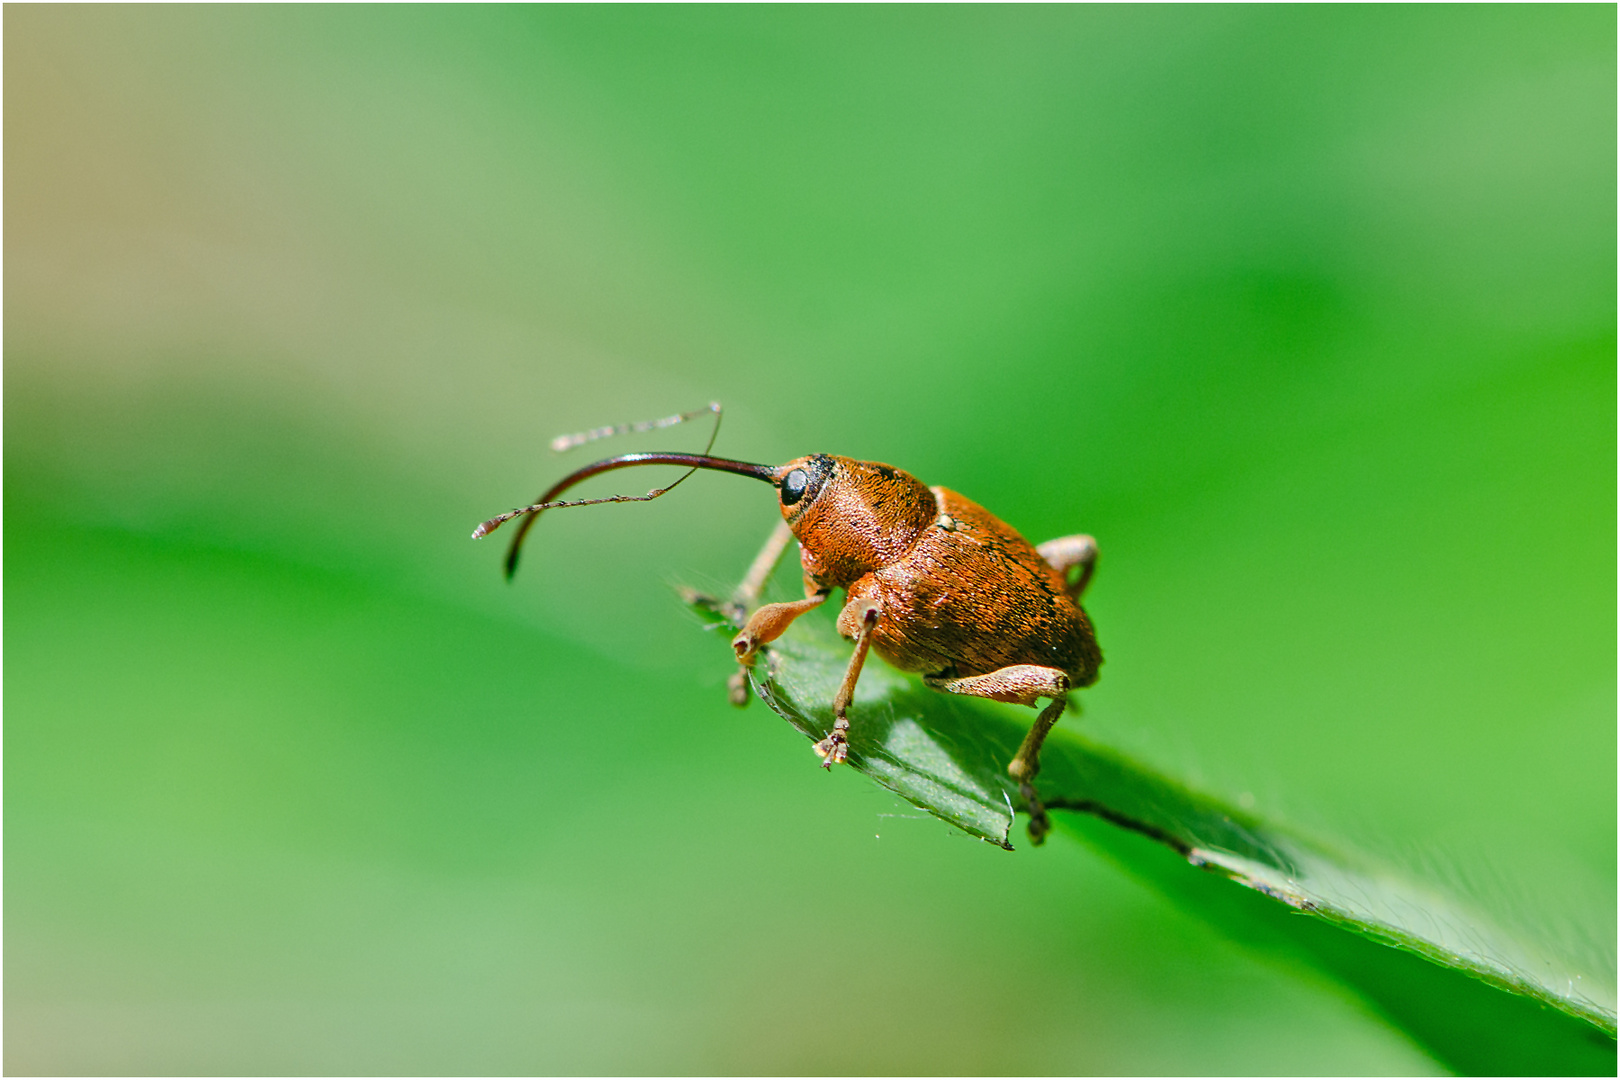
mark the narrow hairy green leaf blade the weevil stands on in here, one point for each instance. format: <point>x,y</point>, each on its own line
<point>1483,998</point>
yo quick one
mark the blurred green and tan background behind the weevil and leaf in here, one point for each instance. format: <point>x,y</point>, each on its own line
<point>1307,313</point>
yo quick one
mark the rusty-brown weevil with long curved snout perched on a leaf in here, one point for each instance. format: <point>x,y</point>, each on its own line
<point>932,580</point>
